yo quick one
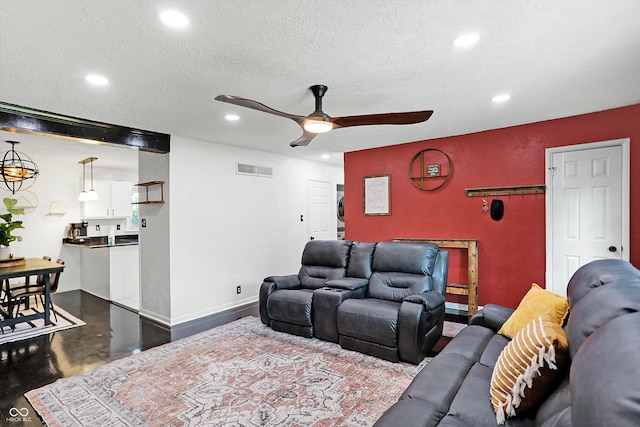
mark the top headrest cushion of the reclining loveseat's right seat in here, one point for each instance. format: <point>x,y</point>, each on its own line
<point>406,257</point>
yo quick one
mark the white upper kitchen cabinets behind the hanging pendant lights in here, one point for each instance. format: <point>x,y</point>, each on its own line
<point>114,201</point>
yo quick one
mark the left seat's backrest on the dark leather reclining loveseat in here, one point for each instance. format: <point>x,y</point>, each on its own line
<point>323,260</point>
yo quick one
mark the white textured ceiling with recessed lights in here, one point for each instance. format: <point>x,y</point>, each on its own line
<point>556,58</point>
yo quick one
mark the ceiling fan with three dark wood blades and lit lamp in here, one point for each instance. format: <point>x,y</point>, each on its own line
<point>319,122</point>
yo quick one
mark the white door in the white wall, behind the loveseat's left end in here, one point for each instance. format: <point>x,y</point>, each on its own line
<point>321,211</point>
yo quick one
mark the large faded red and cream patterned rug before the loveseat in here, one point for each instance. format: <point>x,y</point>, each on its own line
<point>240,374</point>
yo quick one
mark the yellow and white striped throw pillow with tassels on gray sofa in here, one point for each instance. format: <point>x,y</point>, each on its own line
<point>528,367</point>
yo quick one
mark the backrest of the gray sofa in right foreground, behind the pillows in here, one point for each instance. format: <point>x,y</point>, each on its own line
<point>604,337</point>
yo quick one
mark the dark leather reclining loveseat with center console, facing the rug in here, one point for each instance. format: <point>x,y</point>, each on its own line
<point>385,299</point>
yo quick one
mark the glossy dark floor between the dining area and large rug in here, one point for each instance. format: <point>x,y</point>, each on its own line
<point>111,333</point>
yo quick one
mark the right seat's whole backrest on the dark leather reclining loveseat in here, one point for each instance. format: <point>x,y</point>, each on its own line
<point>401,269</point>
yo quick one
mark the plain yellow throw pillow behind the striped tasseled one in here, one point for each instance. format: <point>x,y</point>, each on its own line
<point>536,302</point>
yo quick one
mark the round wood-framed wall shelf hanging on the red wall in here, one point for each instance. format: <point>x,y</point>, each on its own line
<point>430,169</point>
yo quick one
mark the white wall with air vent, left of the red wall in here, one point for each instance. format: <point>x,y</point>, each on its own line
<point>228,229</point>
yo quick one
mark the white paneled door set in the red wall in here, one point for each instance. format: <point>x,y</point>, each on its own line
<point>588,214</point>
